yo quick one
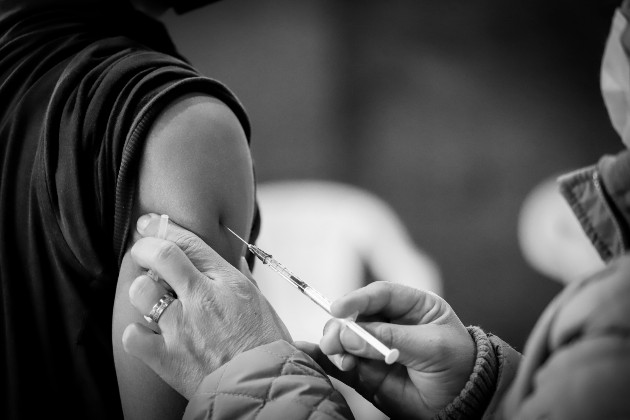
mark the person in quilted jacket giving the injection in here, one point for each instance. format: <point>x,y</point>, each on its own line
<point>576,363</point>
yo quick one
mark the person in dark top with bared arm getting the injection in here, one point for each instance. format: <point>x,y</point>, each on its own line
<point>101,120</point>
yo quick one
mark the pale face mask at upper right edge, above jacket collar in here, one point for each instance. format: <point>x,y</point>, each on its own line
<point>615,79</point>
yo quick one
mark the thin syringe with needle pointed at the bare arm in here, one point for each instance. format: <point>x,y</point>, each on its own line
<point>391,355</point>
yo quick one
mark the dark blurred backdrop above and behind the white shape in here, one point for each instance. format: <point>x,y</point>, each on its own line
<point>449,111</point>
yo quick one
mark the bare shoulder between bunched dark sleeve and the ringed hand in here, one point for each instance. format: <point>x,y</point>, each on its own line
<point>197,168</point>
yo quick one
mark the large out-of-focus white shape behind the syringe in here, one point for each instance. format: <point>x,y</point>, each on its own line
<point>340,238</point>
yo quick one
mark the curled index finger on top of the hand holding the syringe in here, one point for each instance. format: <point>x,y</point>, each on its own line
<point>390,300</point>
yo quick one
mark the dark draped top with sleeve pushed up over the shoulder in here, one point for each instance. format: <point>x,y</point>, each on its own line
<point>79,90</point>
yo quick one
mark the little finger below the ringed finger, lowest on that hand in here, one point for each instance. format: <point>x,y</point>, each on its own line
<point>143,343</point>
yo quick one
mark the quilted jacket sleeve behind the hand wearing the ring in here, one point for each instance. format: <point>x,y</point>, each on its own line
<point>273,381</point>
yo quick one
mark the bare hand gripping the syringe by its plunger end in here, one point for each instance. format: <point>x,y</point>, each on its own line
<point>437,353</point>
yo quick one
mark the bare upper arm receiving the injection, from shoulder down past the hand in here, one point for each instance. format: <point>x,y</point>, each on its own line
<point>196,168</point>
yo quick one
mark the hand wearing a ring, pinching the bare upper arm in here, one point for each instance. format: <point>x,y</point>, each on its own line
<point>218,313</point>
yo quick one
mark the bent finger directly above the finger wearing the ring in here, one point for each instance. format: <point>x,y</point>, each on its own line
<point>169,262</point>
